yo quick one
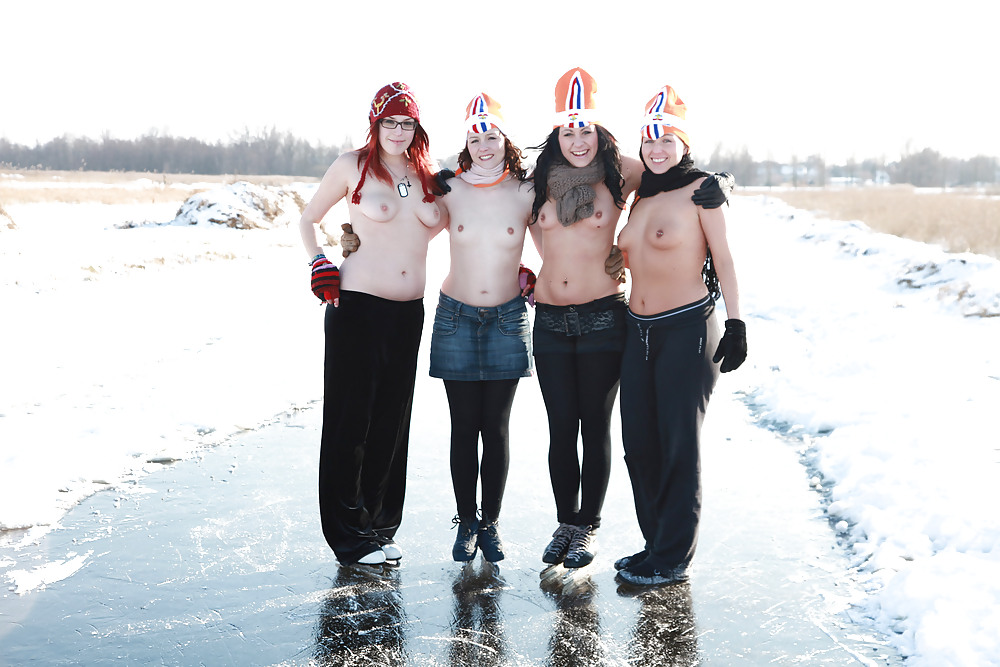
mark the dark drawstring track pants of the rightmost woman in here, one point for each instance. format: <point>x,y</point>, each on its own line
<point>667,379</point>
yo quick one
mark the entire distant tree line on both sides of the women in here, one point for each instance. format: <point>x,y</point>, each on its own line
<point>271,152</point>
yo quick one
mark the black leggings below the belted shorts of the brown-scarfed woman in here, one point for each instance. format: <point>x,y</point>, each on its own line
<point>579,392</point>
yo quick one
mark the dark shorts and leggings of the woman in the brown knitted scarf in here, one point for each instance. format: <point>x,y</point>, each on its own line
<point>578,352</point>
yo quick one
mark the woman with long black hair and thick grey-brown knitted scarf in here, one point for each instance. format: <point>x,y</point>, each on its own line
<point>581,182</point>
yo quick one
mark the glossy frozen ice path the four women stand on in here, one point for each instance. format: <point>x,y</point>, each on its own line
<point>220,560</point>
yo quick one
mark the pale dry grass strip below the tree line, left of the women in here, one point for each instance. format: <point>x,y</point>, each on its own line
<point>31,186</point>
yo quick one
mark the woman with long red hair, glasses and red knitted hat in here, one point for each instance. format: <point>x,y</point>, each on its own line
<point>374,319</point>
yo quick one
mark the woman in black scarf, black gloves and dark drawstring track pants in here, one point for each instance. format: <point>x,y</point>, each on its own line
<point>679,258</point>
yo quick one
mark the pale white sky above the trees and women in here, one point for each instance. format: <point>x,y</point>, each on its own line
<point>782,78</point>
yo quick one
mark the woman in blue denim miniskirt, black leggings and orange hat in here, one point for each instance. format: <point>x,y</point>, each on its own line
<point>481,343</point>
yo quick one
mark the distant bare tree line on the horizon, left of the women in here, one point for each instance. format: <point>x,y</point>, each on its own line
<point>262,153</point>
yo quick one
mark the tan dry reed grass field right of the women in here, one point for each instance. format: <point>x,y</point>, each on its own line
<point>957,220</point>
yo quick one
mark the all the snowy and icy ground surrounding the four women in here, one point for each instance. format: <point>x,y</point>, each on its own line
<point>132,345</point>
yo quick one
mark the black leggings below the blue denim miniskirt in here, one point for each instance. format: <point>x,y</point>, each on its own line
<point>480,408</point>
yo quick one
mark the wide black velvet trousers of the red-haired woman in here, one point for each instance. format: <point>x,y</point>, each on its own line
<point>369,373</point>
